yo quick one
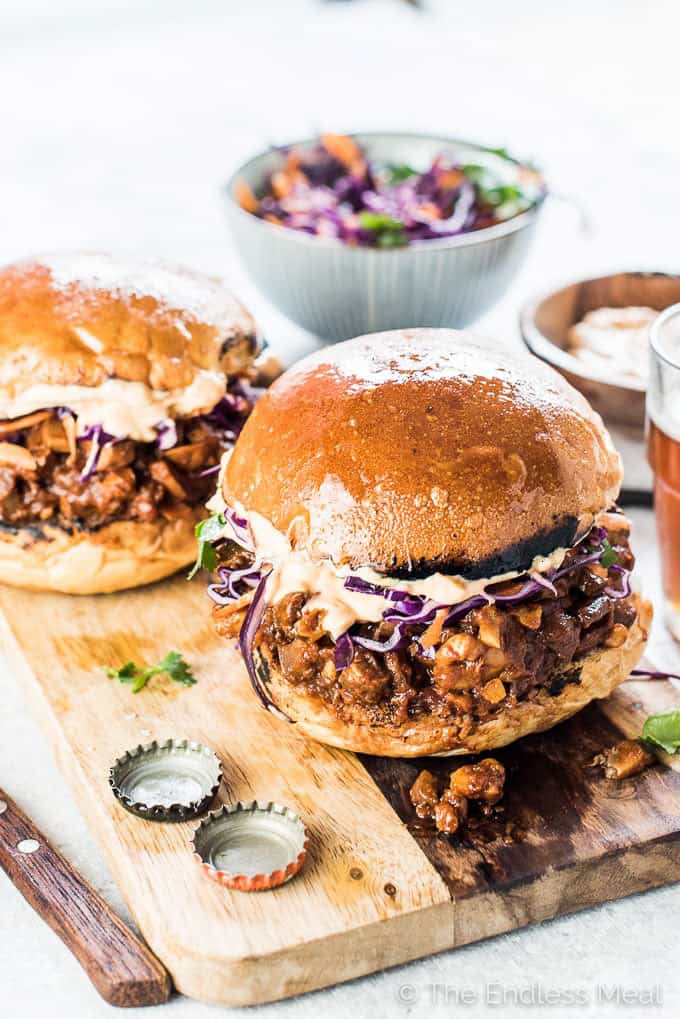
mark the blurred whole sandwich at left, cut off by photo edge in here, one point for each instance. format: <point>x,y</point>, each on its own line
<point>122,385</point>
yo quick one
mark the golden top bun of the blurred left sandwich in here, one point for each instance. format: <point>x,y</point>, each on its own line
<point>82,318</point>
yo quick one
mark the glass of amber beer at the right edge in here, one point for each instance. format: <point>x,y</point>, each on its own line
<point>664,452</point>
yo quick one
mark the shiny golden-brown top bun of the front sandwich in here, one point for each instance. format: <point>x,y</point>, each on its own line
<point>425,449</point>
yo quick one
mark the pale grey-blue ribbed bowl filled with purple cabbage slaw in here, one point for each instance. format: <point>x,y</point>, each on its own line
<point>349,235</point>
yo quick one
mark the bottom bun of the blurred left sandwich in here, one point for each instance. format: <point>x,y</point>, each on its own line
<point>126,554</point>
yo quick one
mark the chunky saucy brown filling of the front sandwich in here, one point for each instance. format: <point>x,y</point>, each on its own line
<point>492,660</point>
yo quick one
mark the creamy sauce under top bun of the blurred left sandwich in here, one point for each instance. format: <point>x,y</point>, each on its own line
<point>130,410</point>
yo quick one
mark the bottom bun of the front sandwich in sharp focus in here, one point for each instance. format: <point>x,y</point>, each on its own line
<point>429,736</point>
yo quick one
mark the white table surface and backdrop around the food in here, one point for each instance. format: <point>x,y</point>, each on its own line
<point>120,122</point>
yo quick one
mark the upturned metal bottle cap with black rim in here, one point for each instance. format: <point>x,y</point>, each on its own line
<point>173,781</point>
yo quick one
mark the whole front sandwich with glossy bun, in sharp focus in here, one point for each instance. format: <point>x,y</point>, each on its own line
<point>417,543</point>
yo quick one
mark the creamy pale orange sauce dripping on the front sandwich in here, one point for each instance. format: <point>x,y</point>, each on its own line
<point>293,571</point>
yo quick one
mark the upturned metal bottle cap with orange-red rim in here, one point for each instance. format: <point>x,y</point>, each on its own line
<point>251,846</point>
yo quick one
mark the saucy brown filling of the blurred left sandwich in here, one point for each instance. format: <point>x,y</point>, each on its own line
<point>42,472</point>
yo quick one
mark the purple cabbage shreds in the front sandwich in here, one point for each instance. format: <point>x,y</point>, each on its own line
<point>405,611</point>
